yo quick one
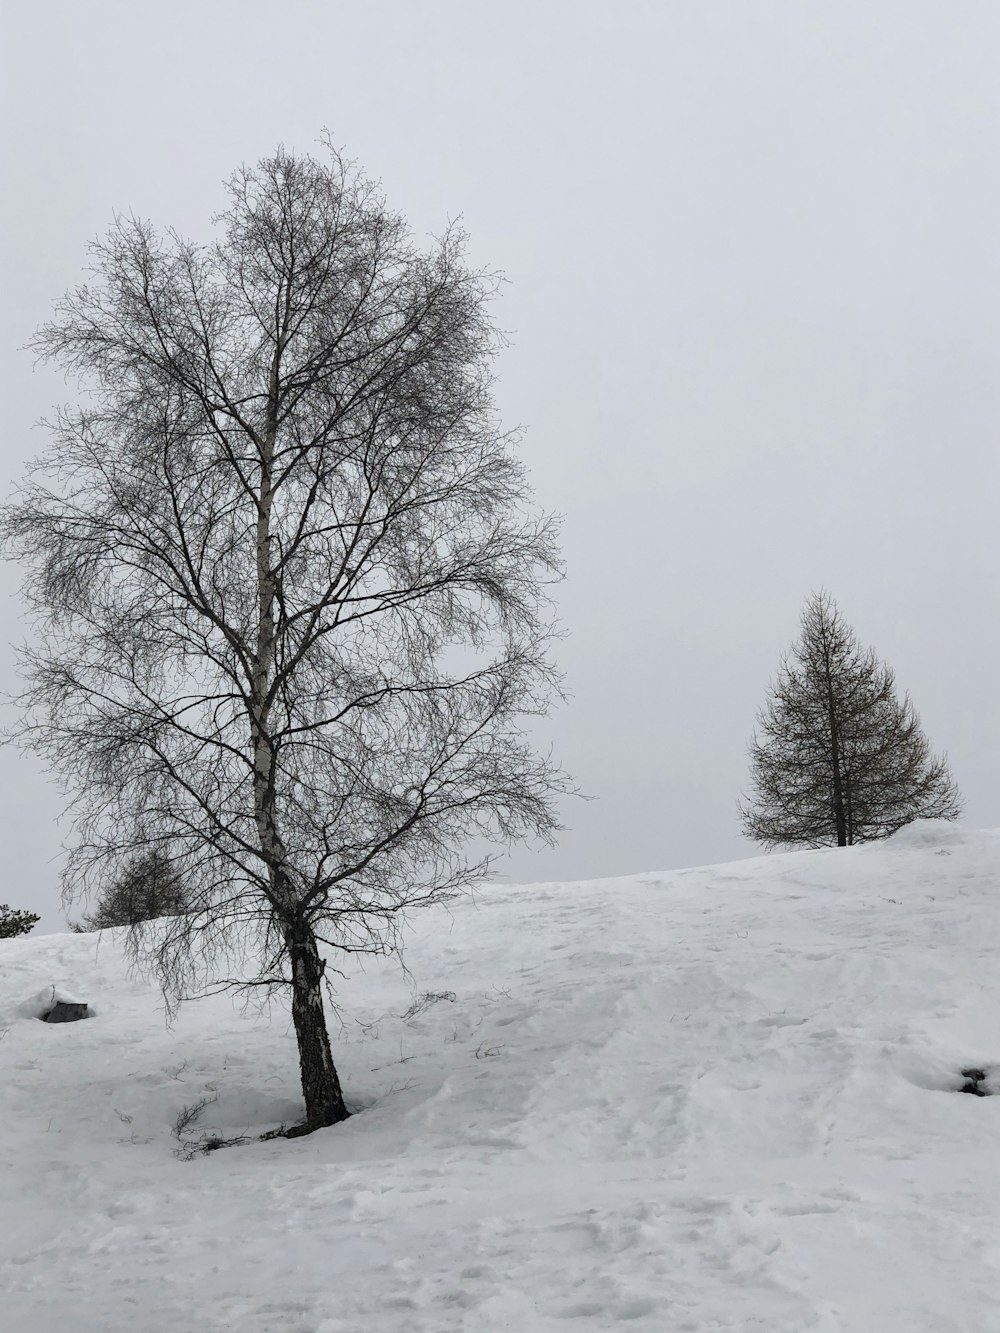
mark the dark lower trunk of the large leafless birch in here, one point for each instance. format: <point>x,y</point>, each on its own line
<point>325,1102</point>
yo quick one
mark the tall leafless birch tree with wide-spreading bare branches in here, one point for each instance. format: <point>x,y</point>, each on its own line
<point>289,586</point>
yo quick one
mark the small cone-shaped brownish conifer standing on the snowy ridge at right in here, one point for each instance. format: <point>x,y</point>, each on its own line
<point>839,758</point>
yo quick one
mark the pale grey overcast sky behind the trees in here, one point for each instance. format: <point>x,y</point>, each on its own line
<point>754,253</point>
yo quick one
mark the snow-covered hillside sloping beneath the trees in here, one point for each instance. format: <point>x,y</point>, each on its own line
<point>709,1100</point>
